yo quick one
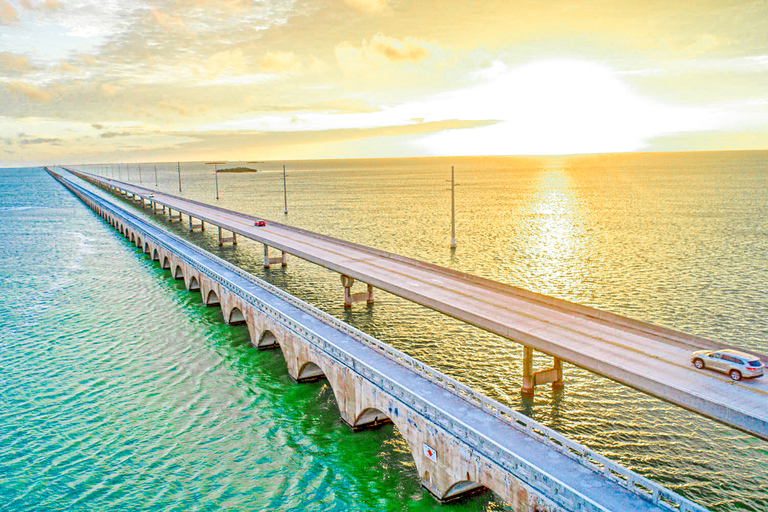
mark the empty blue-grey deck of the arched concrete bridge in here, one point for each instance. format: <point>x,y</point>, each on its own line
<point>502,438</point>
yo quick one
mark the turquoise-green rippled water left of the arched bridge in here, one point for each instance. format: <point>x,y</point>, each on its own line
<point>121,391</point>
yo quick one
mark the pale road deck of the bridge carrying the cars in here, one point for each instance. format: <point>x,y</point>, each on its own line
<point>649,358</point>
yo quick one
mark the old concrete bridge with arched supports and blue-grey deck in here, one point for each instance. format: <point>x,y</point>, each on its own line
<point>462,442</point>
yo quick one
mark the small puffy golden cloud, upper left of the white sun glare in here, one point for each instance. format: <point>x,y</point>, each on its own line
<point>379,51</point>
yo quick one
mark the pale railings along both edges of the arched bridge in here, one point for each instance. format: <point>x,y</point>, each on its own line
<point>624,477</point>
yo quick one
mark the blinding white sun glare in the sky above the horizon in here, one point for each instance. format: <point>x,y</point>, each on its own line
<point>555,107</point>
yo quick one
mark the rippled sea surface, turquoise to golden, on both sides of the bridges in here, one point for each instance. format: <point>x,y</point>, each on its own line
<point>121,391</point>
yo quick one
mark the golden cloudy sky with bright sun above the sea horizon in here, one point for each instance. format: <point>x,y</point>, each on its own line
<point>85,81</point>
